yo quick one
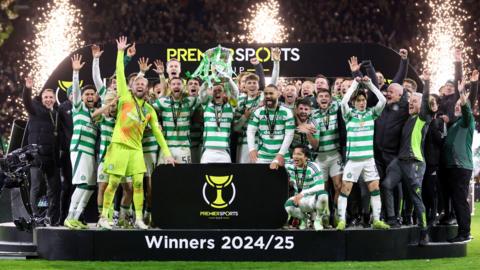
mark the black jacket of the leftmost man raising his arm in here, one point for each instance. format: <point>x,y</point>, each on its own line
<point>43,126</point>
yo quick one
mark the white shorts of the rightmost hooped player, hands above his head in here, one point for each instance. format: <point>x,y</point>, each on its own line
<point>364,168</point>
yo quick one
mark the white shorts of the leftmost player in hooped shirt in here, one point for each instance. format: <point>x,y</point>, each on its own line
<point>83,166</point>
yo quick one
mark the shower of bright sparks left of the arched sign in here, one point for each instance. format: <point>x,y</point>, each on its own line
<point>57,33</point>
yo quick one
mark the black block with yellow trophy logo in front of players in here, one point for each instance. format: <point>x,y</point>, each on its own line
<point>219,196</point>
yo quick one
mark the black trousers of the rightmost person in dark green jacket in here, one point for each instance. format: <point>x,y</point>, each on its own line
<point>458,182</point>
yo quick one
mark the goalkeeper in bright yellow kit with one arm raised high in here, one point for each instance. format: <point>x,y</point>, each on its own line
<point>124,155</point>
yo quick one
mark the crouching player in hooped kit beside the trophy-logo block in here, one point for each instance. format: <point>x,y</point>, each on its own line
<point>310,195</point>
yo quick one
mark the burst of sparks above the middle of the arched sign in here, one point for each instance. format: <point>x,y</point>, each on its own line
<point>265,24</point>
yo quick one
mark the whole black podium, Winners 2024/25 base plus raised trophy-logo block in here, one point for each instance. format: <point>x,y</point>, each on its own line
<point>213,213</point>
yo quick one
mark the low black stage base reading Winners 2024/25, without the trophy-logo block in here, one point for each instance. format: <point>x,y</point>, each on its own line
<point>360,244</point>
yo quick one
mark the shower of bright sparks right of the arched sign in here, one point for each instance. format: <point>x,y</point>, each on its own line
<point>445,33</point>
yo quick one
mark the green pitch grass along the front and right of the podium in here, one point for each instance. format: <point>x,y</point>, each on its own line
<point>471,262</point>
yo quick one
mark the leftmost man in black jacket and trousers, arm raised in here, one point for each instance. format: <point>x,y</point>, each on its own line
<point>43,127</point>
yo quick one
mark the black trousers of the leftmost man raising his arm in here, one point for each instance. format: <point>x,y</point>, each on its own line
<point>41,177</point>
